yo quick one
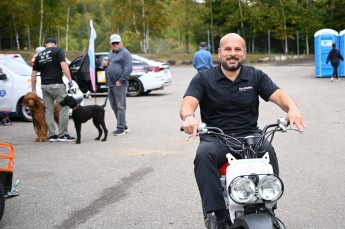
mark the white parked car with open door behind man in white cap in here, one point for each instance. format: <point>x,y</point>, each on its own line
<point>147,75</point>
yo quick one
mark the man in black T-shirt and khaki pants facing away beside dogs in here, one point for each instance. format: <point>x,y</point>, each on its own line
<point>51,62</point>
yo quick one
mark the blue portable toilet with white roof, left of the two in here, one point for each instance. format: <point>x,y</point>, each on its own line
<point>323,40</point>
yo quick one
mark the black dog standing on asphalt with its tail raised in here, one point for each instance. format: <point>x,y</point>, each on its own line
<point>82,114</point>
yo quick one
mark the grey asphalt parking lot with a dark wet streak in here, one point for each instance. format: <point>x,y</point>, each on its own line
<point>145,178</point>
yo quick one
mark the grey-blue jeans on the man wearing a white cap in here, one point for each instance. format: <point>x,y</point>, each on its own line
<point>117,99</point>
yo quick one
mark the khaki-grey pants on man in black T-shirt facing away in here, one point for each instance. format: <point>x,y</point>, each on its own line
<point>55,93</point>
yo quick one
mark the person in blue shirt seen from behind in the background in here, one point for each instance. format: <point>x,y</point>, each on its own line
<point>202,59</point>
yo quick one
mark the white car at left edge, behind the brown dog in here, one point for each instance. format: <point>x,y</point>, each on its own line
<point>15,83</point>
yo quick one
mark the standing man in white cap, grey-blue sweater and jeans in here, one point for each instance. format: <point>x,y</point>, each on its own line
<point>118,69</point>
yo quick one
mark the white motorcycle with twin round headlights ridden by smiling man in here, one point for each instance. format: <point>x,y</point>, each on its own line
<point>250,188</point>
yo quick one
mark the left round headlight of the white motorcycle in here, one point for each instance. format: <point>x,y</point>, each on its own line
<point>242,189</point>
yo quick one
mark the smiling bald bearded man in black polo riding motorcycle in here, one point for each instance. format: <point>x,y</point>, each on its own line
<point>228,96</point>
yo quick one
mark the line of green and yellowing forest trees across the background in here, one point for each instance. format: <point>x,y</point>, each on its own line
<point>169,26</point>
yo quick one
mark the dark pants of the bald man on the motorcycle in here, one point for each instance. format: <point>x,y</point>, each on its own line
<point>211,155</point>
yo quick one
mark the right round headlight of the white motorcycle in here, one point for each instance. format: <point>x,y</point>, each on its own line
<point>270,188</point>
